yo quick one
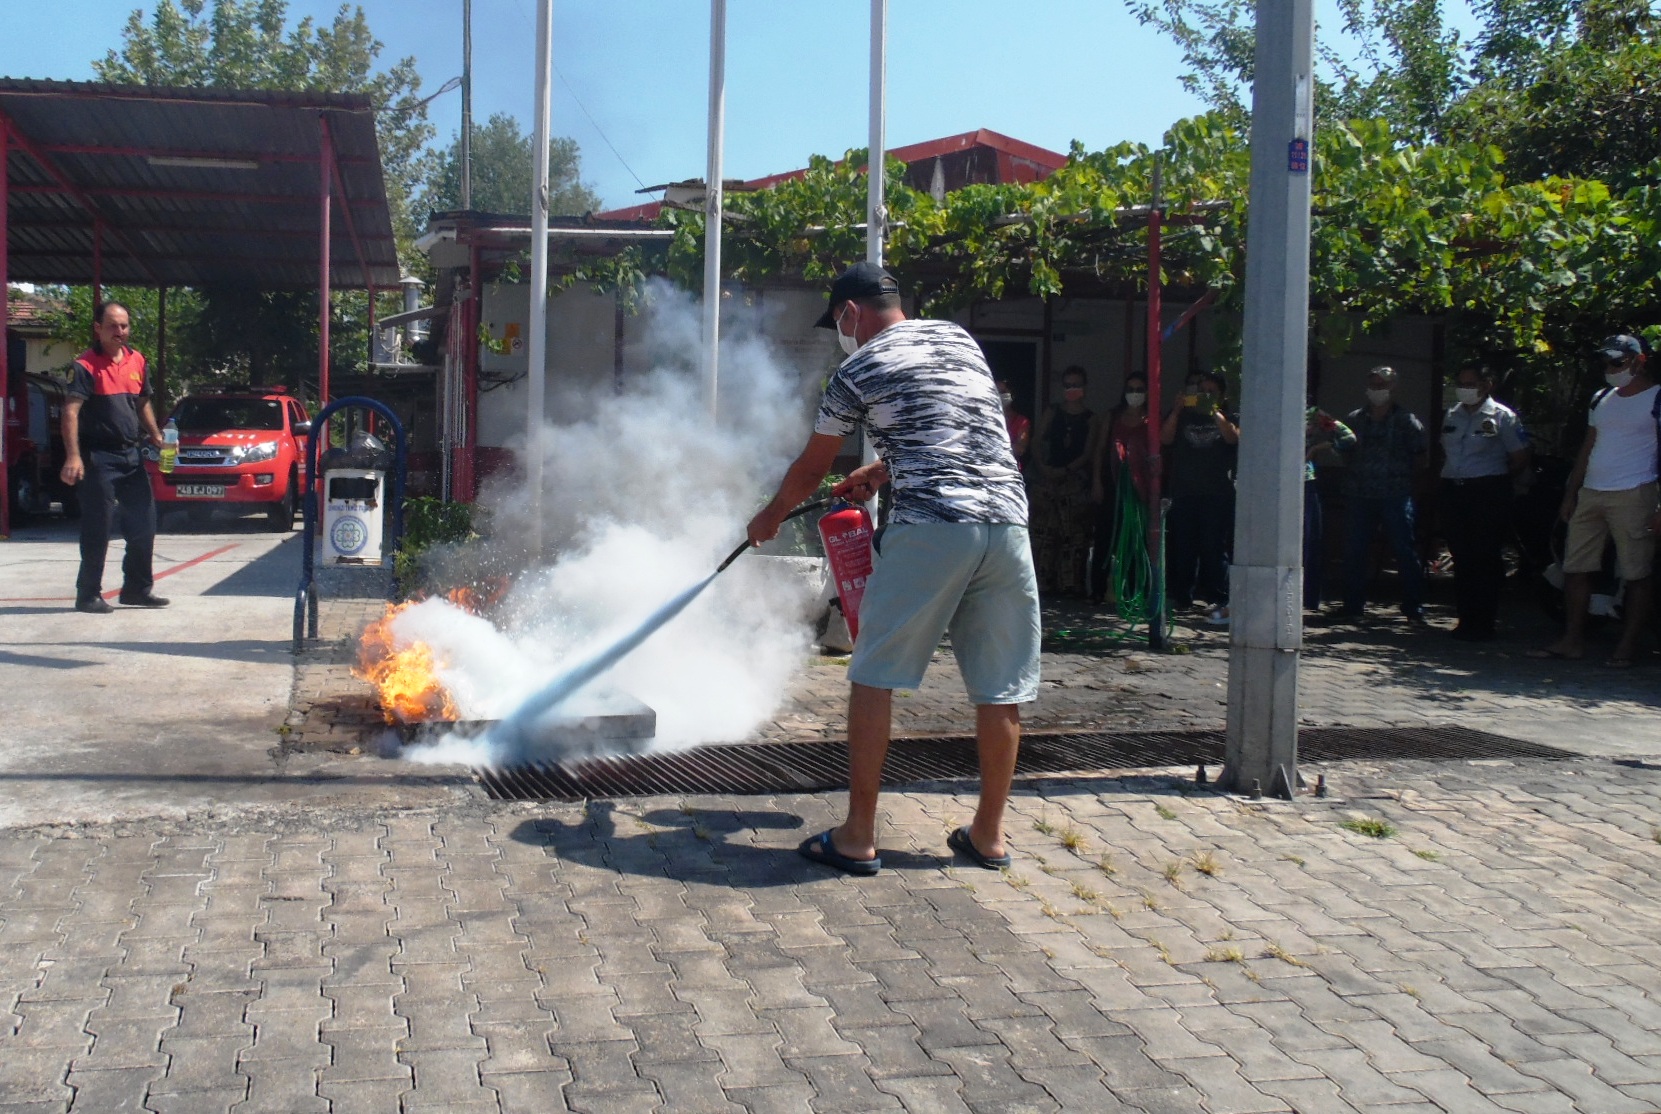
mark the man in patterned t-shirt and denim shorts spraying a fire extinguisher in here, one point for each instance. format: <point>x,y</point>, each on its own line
<point>953,559</point>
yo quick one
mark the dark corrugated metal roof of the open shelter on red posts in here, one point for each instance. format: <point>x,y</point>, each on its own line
<point>192,187</point>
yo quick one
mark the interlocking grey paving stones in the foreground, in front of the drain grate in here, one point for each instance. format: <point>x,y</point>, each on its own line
<point>1154,949</point>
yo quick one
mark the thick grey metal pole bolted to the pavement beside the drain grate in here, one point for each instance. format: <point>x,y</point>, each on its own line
<point>1267,580</point>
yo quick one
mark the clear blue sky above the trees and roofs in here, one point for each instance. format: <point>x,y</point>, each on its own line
<point>1046,72</point>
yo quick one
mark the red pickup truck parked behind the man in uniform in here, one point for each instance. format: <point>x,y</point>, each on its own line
<point>243,451</point>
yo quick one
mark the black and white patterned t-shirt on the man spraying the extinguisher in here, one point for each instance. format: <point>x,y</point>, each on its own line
<point>924,391</point>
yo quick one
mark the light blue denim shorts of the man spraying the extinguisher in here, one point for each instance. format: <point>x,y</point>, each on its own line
<point>971,580</point>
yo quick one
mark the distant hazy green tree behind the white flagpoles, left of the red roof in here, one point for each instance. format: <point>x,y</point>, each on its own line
<point>502,173</point>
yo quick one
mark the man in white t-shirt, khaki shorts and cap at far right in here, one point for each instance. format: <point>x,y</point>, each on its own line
<point>1614,494</point>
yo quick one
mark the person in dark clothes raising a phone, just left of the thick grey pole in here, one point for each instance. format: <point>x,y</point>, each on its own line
<point>1202,436</point>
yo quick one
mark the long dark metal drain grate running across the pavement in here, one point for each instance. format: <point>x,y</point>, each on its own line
<point>801,768</point>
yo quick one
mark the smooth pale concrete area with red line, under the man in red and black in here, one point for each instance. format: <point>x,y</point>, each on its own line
<point>152,713</point>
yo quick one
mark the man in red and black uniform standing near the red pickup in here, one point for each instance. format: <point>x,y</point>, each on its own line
<point>105,421</point>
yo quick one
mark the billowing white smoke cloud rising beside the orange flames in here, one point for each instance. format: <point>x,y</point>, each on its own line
<point>644,496</point>
